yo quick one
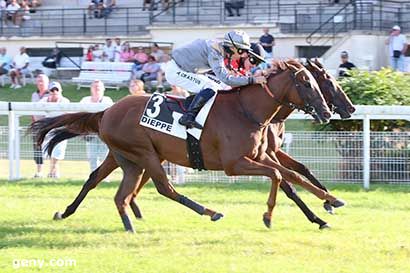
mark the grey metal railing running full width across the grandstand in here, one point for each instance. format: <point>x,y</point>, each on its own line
<point>316,19</point>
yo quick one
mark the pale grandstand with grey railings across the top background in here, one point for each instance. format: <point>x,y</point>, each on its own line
<point>301,28</point>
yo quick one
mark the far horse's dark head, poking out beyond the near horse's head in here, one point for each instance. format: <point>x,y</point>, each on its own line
<point>333,93</point>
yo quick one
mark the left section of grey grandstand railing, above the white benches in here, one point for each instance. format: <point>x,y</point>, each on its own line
<point>79,21</point>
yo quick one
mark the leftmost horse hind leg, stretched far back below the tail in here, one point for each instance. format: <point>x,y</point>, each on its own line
<point>108,165</point>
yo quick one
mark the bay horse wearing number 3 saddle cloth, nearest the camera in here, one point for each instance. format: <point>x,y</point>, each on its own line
<point>234,139</point>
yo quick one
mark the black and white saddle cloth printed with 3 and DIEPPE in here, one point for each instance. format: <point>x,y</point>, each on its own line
<point>158,116</point>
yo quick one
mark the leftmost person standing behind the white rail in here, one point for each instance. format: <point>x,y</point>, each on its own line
<point>42,82</point>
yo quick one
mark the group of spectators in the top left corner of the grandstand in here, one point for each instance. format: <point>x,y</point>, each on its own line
<point>17,11</point>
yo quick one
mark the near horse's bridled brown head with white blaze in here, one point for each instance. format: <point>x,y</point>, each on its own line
<point>304,94</point>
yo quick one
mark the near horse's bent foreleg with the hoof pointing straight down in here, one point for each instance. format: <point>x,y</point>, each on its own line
<point>247,166</point>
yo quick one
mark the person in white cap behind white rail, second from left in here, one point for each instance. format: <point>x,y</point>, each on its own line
<point>58,153</point>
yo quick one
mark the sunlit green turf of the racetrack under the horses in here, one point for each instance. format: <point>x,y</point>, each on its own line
<point>369,235</point>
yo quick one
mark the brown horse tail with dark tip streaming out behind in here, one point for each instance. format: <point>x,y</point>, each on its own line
<point>65,126</point>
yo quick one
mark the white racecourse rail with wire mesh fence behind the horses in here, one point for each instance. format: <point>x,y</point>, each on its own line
<point>350,157</point>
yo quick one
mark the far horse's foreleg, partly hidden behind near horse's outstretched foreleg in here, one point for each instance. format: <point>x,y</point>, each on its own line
<point>289,162</point>
